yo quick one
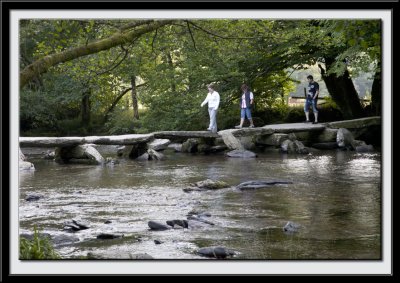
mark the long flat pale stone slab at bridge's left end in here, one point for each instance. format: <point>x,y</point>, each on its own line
<point>73,141</point>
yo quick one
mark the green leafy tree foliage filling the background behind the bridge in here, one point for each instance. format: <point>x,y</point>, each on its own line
<point>174,64</point>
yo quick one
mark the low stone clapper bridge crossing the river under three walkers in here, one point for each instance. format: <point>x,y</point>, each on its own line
<point>283,137</point>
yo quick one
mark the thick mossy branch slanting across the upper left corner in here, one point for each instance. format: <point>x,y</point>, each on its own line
<point>42,65</point>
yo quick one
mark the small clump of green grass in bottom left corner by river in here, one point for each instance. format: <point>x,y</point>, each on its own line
<point>40,247</point>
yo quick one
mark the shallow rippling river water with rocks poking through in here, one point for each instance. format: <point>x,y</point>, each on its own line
<point>335,198</point>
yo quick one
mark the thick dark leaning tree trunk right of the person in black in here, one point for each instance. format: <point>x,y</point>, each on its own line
<point>343,92</point>
